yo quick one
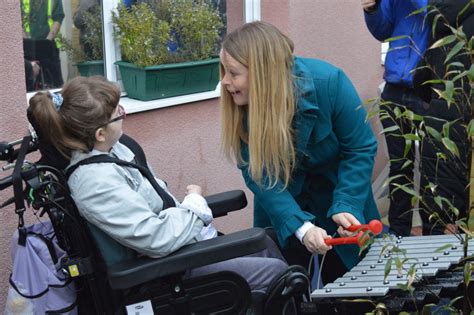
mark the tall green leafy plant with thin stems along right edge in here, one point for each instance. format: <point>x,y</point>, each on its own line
<point>454,87</point>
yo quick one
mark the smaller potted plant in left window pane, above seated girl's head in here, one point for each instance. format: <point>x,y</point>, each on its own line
<point>88,56</point>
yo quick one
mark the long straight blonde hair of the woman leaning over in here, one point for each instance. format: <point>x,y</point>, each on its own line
<point>268,55</point>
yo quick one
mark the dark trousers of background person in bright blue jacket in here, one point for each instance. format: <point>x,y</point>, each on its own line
<point>399,215</point>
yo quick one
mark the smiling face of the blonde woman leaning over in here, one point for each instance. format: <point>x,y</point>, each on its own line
<point>235,79</point>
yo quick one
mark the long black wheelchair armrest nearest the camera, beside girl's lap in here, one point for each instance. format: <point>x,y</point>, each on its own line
<point>127,274</point>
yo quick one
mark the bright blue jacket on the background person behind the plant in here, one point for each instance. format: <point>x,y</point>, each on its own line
<point>391,19</point>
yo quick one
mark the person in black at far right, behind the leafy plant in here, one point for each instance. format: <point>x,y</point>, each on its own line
<point>451,175</point>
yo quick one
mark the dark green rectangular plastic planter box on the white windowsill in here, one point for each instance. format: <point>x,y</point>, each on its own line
<point>168,80</point>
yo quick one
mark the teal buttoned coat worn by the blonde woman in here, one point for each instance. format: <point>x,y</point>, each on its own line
<point>335,156</point>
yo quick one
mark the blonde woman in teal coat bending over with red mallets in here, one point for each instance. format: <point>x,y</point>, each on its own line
<point>297,131</point>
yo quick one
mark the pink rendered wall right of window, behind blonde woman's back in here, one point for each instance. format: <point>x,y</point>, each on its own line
<point>334,31</point>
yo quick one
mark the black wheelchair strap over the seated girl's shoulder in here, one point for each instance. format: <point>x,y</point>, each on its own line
<point>168,201</point>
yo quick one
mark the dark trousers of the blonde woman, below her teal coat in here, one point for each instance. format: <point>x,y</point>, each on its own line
<point>297,254</point>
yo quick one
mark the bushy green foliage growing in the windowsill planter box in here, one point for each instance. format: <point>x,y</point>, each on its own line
<point>146,29</point>
